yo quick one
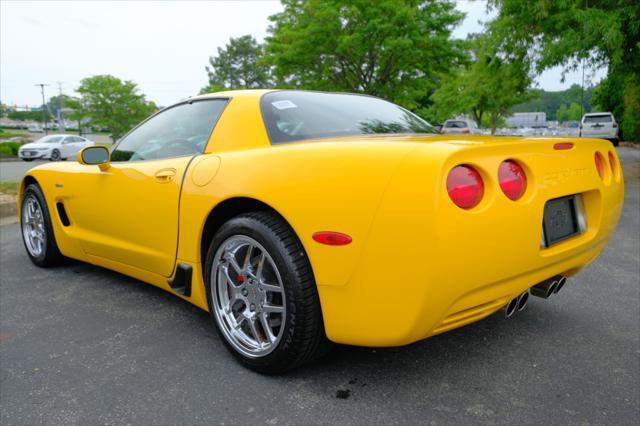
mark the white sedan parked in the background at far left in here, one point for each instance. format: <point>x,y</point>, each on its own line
<point>53,147</point>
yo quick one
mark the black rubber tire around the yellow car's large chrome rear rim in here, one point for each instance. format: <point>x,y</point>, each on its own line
<point>303,337</point>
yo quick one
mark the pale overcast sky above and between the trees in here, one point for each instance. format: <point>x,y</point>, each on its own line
<point>162,46</point>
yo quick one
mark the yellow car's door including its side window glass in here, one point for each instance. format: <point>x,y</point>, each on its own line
<point>128,213</point>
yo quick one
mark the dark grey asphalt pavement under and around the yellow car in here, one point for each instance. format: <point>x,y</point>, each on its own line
<point>83,345</point>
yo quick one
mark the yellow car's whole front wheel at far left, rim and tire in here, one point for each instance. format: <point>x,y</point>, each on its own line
<point>37,232</point>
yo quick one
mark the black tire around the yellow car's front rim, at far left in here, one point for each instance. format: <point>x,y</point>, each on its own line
<point>51,255</point>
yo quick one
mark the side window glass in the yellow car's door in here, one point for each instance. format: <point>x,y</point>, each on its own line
<point>182,130</point>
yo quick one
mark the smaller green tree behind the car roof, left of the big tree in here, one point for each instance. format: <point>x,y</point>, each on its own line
<point>240,65</point>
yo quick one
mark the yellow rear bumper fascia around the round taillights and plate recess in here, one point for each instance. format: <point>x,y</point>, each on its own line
<point>429,267</point>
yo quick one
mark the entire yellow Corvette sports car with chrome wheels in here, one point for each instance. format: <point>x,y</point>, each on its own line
<point>303,218</point>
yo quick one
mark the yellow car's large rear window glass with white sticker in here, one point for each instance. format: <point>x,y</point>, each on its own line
<point>294,116</point>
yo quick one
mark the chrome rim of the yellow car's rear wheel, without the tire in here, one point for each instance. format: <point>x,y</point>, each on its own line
<point>248,296</point>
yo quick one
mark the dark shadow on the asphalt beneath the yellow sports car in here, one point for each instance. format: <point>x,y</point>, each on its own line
<point>471,345</point>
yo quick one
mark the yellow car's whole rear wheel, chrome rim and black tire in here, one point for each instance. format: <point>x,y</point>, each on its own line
<point>262,294</point>
